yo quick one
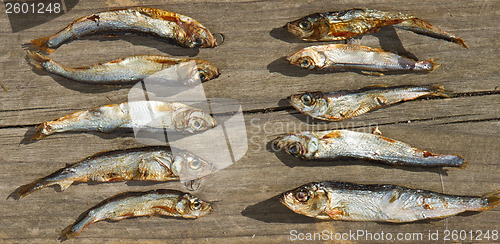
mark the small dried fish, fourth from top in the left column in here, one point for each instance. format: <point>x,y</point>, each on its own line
<point>141,164</point>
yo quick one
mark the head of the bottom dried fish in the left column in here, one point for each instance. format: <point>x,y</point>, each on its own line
<point>192,207</point>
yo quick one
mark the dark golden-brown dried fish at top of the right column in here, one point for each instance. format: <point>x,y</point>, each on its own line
<point>341,25</point>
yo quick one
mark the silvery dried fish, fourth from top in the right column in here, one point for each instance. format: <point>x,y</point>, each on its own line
<point>344,143</point>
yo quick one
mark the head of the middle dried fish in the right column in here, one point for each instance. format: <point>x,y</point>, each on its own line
<point>310,103</point>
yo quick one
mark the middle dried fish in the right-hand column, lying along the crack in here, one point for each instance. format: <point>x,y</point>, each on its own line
<point>335,106</point>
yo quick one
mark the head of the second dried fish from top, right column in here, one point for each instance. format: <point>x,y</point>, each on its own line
<point>308,58</point>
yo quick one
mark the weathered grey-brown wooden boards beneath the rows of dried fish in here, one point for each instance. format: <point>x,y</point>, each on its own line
<point>254,74</point>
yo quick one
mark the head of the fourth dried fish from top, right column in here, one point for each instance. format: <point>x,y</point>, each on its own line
<point>301,145</point>
